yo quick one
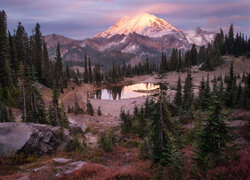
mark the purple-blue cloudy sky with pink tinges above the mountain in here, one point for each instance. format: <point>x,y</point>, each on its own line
<point>80,19</point>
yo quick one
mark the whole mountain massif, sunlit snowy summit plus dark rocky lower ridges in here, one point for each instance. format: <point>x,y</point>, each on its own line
<point>130,38</point>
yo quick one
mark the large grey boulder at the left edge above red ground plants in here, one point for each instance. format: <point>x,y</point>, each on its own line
<point>30,138</point>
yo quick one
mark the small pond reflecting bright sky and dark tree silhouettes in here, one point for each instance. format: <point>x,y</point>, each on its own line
<point>125,92</point>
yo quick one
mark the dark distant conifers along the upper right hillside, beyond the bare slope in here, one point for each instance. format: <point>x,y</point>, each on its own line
<point>208,57</point>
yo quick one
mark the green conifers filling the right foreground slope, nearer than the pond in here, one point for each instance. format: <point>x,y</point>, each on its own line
<point>158,123</point>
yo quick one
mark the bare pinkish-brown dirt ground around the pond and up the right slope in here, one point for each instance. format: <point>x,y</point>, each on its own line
<point>111,108</point>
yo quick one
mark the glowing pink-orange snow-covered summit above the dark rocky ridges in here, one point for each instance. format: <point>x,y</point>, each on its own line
<point>144,24</point>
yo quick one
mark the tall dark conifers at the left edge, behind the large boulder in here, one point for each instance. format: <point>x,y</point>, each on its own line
<point>24,67</point>
